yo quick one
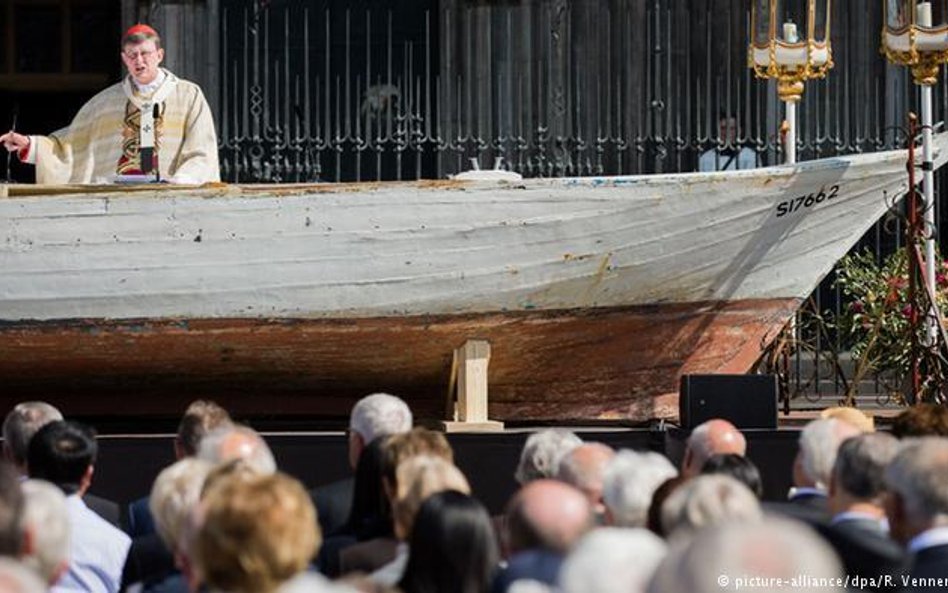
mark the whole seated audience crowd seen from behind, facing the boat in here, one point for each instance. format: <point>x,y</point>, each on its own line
<point>868,511</point>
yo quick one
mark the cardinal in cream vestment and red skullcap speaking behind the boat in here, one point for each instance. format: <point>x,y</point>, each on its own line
<point>152,124</point>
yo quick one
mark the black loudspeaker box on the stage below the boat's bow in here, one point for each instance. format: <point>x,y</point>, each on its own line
<point>747,401</point>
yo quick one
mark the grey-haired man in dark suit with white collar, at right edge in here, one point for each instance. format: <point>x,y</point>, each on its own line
<point>917,508</point>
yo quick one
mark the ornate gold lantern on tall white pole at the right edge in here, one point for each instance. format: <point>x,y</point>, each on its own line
<point>916,35</point>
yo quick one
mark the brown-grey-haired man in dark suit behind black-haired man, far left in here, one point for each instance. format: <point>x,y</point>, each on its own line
<point>19,426</point>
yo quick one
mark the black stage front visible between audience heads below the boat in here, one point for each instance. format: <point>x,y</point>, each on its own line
<point>128,464</point>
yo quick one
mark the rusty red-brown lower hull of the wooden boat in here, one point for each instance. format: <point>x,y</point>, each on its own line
<point>620,363</point>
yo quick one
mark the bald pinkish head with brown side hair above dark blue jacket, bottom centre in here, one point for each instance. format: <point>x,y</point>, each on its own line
<point>548,515</point>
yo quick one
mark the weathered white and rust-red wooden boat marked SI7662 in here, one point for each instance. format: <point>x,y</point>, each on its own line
<point>595,294</point>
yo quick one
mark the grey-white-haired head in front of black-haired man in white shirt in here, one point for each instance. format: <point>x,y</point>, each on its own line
<point>45,522</point>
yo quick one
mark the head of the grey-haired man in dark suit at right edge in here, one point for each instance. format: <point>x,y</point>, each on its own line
<point>917,482</point>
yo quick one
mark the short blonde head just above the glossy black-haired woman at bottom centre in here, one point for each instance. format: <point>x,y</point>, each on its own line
<point>418,478</point>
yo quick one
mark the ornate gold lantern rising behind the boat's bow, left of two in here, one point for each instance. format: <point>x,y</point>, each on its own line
<point>790,42</point>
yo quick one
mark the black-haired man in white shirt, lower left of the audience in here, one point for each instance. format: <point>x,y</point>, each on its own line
<point>64,453</point>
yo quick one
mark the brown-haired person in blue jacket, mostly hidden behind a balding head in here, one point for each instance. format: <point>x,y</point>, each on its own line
<point>200,418</point>
